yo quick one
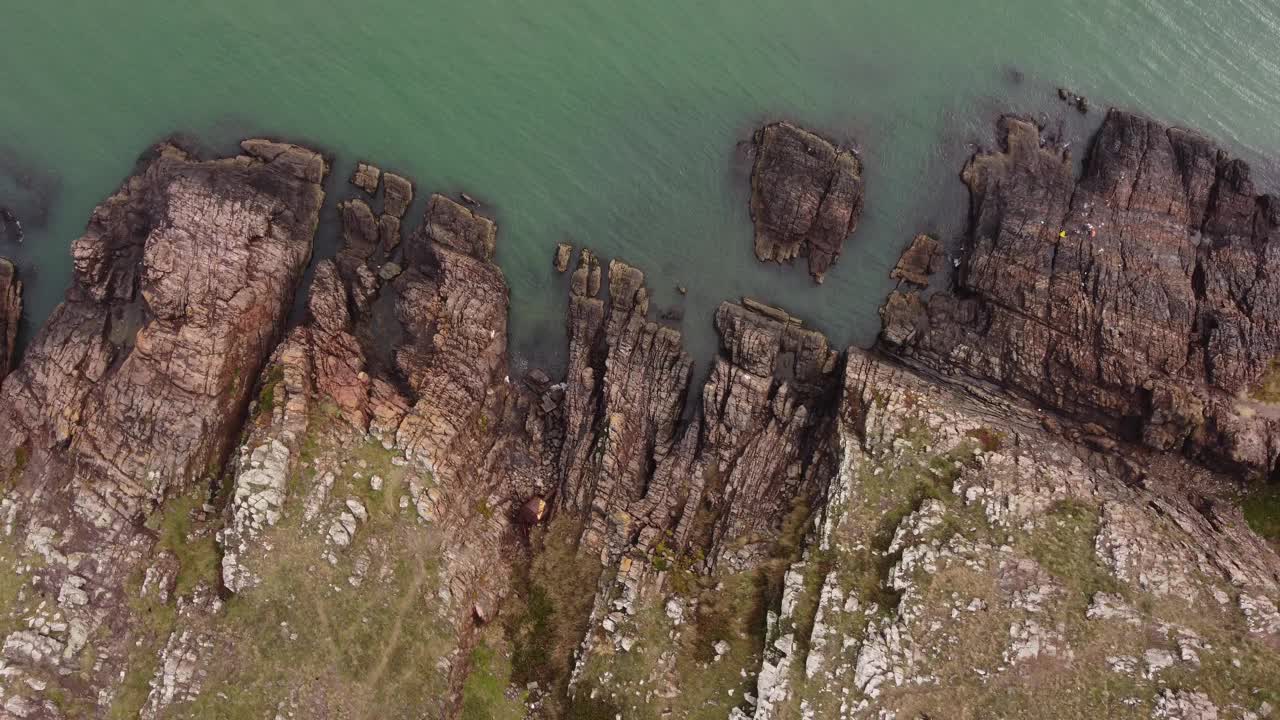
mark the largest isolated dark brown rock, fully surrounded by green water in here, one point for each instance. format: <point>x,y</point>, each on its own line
<point>807,197</point>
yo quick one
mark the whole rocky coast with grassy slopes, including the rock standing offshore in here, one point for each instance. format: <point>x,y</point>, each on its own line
<point>1025,491</point>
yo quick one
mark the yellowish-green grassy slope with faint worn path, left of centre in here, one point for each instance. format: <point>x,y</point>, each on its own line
<point>360,637</point>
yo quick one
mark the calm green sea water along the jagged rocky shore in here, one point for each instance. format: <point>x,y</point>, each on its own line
<point>618,126</point>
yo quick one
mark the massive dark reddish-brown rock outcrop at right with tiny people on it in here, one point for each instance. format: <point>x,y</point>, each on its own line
<point>1141,297</point>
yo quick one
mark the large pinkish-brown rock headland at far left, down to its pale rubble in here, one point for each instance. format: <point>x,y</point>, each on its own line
<point>135,390</point>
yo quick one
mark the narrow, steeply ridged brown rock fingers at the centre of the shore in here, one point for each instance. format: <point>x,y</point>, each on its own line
<point>744,457</point>
